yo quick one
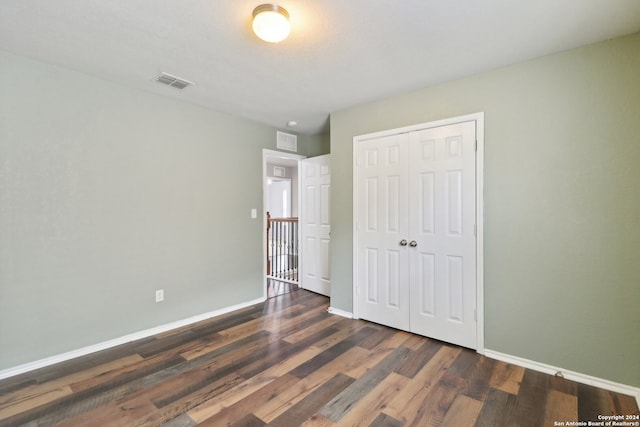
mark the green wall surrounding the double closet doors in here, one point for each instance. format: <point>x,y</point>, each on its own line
<point>562,202</point>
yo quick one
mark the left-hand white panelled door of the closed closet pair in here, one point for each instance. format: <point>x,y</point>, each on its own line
<point>382,230</point>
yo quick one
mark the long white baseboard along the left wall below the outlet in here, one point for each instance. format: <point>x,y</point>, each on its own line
<point>10,372</point>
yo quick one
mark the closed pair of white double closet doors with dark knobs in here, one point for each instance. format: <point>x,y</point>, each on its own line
<point>415,243</point>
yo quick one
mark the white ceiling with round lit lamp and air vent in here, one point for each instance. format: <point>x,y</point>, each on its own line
<point>340,52</point>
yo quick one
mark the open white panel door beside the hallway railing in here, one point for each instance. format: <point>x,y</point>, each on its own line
<point>315,227</point>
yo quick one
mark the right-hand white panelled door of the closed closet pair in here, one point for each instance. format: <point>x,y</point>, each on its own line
<point>442,228</point>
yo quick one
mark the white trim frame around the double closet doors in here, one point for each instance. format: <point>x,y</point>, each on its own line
<point>479,119</point>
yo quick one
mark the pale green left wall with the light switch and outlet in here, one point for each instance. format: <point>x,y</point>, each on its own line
<point>107,194</point>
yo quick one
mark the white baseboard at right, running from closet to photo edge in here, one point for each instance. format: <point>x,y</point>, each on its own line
<point>570,375</point>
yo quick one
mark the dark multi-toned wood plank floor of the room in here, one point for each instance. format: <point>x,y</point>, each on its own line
<point>288,362</point>
